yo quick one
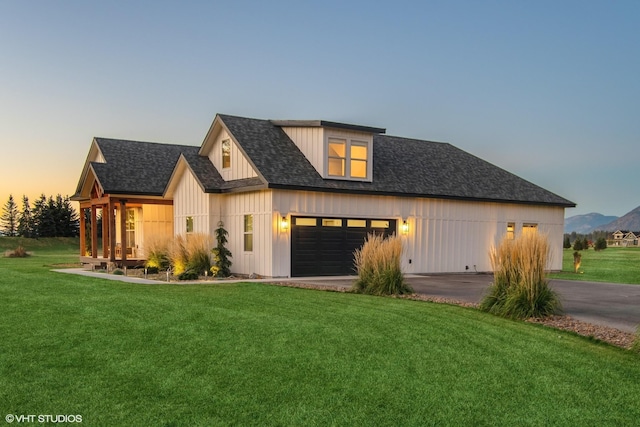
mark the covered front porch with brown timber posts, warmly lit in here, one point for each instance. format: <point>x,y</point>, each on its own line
<point>113,228</point>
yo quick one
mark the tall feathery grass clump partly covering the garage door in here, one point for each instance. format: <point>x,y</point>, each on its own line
<point>378,264</point>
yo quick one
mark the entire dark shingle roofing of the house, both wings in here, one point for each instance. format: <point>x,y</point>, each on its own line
<point>401,166</point>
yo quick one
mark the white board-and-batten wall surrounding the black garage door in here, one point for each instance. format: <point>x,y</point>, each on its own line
<point>444,236</point>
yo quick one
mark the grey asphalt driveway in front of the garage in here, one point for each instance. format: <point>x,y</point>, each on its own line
<point>607,304</point>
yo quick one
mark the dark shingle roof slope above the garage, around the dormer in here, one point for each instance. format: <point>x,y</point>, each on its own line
<point>401,166</point>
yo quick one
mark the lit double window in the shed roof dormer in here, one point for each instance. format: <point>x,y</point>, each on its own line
<point>348,158</point>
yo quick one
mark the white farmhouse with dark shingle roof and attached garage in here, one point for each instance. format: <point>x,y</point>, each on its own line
<point>297,197</point>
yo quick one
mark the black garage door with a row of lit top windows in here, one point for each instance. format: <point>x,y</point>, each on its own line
<point>324,246</point>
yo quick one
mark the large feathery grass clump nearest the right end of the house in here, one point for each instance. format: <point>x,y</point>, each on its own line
<point>520,289</point>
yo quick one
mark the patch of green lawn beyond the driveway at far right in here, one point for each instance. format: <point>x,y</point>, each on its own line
<point>616,265</point>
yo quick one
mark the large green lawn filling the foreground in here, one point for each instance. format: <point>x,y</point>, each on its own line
<point>254,354</point>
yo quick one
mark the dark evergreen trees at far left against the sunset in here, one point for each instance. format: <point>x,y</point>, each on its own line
<point>48,217</point>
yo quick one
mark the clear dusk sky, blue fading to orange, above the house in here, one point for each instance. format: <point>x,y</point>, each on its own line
<point>549,90</point>
